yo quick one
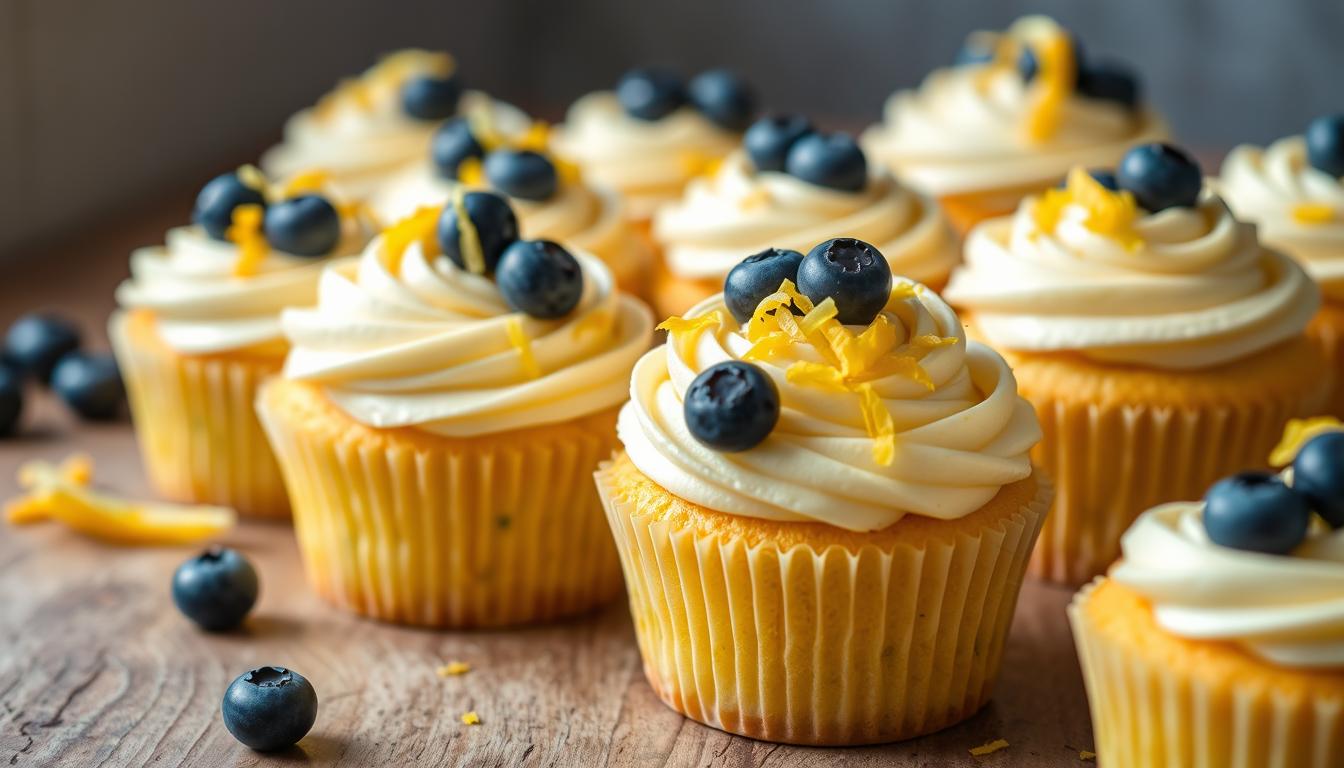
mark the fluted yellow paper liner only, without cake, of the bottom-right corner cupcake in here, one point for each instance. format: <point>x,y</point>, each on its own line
<point>1161,714</point>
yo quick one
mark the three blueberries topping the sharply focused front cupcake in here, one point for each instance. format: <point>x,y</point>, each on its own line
<point>734,406</point>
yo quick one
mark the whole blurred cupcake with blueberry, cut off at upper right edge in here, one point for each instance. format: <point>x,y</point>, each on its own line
<point>1295,194</point>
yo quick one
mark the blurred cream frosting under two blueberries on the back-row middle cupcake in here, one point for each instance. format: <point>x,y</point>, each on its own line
<point>648,162</point>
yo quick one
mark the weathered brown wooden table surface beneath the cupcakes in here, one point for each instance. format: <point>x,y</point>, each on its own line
<point>99,669</point>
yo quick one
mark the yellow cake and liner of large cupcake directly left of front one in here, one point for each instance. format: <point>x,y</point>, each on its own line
<point>435,532</point>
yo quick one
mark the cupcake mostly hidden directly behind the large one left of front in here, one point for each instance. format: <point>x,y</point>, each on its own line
<point>550,198</point>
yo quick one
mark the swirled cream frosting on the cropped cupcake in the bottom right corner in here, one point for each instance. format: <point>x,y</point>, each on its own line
<point>1286,610</point>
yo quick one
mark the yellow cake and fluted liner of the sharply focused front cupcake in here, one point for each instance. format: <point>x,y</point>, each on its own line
<point>806,634</point>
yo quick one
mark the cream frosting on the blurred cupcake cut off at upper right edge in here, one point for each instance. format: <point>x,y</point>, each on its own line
<point>1269,186</point>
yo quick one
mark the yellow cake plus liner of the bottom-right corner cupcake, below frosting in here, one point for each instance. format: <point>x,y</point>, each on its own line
<point>1165,703</point>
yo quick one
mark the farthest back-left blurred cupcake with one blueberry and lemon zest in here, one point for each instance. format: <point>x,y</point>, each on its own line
<point>380,123</point>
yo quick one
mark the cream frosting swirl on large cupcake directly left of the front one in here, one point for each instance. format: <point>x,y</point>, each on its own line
<point>431,348</point>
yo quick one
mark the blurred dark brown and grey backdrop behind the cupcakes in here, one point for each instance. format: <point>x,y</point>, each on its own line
<point>108,108</point>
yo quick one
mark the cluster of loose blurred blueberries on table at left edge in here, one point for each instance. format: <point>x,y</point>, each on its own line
<point>46,349</point>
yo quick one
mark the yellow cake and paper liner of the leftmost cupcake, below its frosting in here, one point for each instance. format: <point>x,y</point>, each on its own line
<point>196,422</point>
